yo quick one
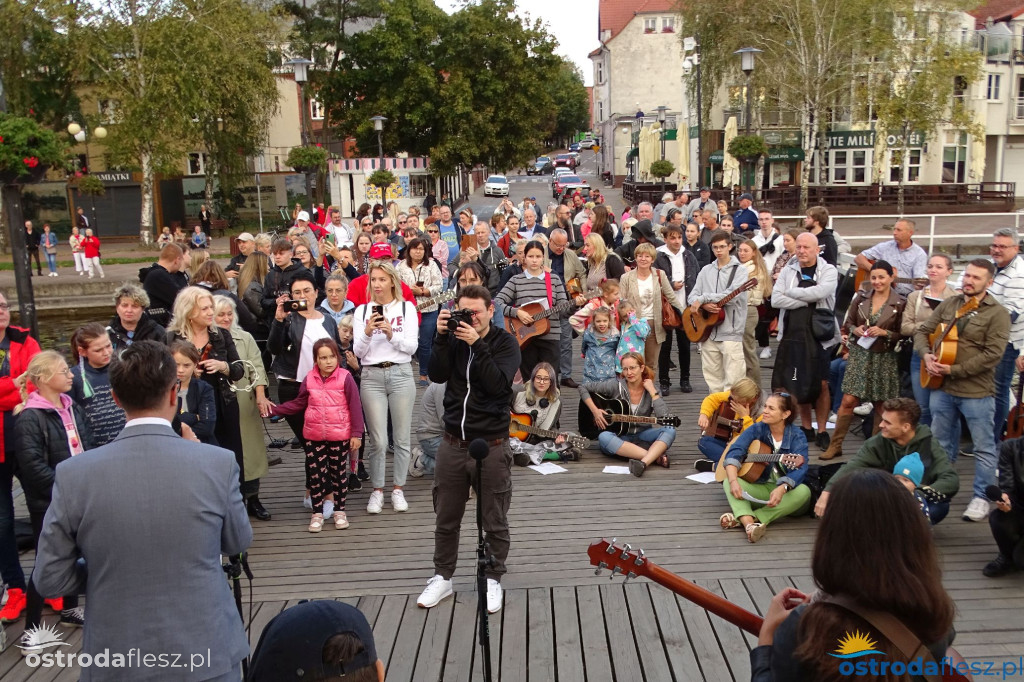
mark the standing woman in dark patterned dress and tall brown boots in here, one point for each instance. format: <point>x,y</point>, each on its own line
<point>871,331</point>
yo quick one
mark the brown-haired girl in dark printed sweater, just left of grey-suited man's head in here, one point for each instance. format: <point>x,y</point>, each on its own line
<point>91,348</point>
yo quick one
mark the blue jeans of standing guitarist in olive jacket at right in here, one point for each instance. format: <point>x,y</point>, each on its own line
<point>947,411</point>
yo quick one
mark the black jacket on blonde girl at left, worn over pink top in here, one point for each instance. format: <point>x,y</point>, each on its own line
<point>42,445</point>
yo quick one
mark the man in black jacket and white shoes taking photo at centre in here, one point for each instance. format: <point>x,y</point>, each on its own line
<point>479,361</point>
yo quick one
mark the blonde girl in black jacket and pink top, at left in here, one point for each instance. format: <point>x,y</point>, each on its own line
<point>50,430</point>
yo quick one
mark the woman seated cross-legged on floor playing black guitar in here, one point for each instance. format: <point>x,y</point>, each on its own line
<point>643,446</point>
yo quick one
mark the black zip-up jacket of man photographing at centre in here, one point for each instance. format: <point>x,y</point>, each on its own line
<point>480,383</point>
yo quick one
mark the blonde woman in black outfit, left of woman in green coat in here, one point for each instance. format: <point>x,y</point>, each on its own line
<point>220,365</point>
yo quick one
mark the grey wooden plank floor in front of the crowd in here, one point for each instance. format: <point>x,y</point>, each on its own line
<point>561,622</point>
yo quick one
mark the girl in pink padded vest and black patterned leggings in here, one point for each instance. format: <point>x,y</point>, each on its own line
<point>329,400</point>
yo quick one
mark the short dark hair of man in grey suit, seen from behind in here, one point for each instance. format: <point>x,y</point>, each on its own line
<point>143,375</point>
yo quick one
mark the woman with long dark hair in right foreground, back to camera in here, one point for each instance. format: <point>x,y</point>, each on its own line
<point>870,549</point>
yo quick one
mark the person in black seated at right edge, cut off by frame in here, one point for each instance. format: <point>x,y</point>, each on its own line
<point>1007,522</point>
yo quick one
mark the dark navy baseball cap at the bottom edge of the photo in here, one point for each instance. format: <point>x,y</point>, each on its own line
<point>292,646</point>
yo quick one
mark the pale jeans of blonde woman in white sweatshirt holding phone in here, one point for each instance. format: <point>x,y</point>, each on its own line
<point>387,393</point>
